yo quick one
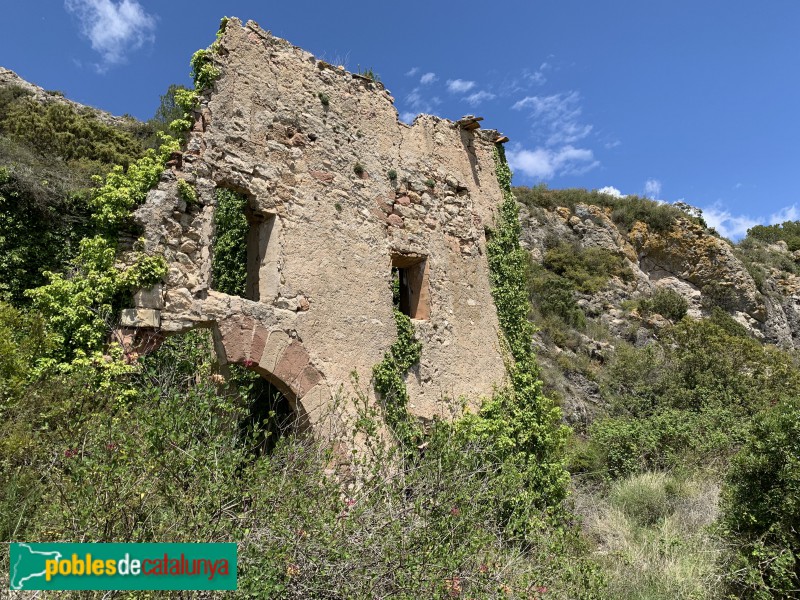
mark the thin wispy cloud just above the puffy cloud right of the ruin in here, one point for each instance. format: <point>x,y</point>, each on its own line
<point>557,116</point>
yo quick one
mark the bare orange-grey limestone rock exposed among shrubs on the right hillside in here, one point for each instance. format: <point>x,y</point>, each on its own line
<point>686,258</point>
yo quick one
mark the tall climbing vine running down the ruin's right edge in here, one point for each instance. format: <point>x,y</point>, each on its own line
<point>520,426</point>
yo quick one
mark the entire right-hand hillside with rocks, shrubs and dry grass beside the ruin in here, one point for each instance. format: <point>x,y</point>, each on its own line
<point>679,459</point>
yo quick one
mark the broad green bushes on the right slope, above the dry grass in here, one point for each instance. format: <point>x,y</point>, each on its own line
<point>687,398</point>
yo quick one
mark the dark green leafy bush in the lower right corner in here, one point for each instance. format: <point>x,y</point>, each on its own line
<point>761,507</point>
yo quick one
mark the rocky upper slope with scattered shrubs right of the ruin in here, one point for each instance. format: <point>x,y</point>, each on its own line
<point>666,261</point>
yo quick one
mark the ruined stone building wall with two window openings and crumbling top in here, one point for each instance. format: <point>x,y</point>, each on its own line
<point>312,146</point>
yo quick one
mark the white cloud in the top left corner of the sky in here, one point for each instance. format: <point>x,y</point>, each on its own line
<point>115,29</point>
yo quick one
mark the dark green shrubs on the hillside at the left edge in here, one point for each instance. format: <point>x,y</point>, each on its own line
<point>49,155</point>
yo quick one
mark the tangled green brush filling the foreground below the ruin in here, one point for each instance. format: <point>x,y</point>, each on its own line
<point>158,454</point>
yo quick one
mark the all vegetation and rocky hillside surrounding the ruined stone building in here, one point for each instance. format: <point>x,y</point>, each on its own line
<point>677,477</point>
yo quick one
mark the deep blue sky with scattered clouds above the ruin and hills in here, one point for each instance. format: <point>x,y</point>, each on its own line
<point>676,100</point>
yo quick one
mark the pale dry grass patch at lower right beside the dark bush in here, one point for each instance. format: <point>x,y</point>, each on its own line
<point>652,538</point>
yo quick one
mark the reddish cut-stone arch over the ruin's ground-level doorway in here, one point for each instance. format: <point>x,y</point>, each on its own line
<point>281,359</point>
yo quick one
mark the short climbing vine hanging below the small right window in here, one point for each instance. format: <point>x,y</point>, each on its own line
<point>388,380</point>
